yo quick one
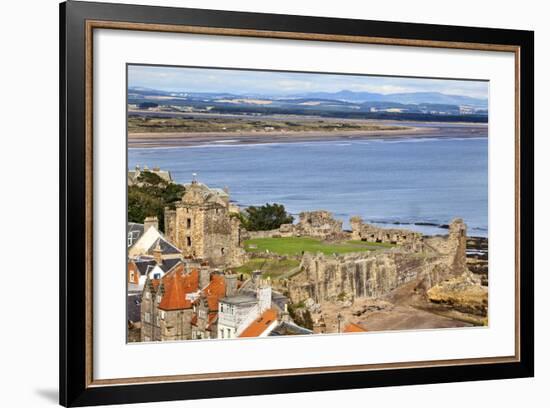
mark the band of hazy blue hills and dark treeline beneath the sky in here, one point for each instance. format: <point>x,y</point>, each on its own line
<point>343,104</point>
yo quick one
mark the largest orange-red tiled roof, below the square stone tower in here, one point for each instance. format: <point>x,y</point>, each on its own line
<point>176,286</point>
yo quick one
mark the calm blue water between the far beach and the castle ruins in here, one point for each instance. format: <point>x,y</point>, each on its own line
<point>413,180</point>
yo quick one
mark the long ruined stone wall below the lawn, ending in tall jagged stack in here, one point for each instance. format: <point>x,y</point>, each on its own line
<point>374,274</point>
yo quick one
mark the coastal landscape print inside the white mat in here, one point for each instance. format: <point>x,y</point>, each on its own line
<point>272,203</point>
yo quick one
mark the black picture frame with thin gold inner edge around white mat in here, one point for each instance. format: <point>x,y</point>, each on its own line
<point>78,385</point>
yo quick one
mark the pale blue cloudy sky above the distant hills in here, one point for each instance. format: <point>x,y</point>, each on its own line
<point>280,83</point>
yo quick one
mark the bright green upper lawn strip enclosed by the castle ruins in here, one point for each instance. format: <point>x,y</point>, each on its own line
<point>297,245</point>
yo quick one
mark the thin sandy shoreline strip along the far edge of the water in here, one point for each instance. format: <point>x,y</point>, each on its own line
<point>174,139</point>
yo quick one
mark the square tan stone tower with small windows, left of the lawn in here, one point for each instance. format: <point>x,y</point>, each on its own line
<point>202,226</point>
